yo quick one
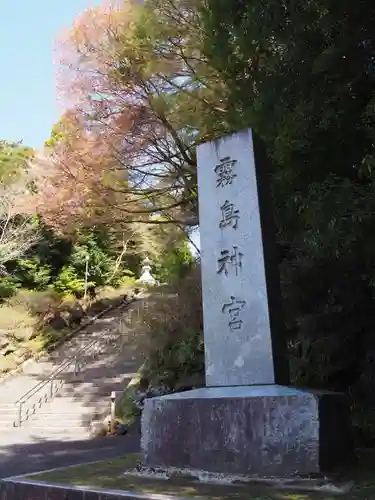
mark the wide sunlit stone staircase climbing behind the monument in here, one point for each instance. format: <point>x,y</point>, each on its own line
<point>83,397</point>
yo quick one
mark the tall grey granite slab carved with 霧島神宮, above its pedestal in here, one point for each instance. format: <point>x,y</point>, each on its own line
<point>240,281</point>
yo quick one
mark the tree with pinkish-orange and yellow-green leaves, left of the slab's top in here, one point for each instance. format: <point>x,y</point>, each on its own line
<point>139,98</point>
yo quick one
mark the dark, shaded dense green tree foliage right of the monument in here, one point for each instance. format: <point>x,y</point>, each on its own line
<point>302,76</point>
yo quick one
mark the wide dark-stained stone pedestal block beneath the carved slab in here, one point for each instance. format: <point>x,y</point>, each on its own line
<point>251,430</point>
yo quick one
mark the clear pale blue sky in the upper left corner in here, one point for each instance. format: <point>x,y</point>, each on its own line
<point>28,29</point>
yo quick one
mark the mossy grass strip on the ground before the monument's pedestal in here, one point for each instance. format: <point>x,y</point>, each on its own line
<point>108,474</point>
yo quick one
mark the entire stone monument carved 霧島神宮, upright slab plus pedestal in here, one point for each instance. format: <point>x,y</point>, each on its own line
<point>246,420</point>
